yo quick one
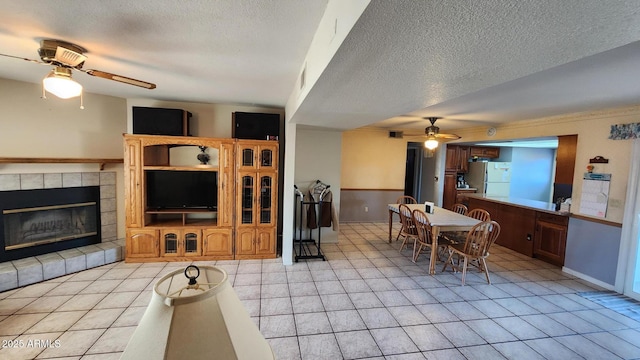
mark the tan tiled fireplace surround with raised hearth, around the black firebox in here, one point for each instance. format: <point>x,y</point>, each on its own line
<point>30,270</point>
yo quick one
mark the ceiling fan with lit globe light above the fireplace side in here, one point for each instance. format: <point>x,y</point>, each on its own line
<point>65,57</point>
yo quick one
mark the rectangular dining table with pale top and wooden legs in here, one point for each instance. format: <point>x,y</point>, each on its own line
<point>441,220</point>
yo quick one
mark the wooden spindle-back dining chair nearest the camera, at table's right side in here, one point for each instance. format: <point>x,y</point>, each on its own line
<point>475,249</point>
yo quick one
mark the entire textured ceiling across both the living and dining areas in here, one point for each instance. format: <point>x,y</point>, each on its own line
<point>471,62</point>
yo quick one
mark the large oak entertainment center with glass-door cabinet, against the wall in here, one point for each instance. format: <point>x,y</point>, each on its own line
<point>241,222</point>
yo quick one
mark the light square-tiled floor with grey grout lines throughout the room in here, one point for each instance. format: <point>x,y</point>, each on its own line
<point>367,301</point>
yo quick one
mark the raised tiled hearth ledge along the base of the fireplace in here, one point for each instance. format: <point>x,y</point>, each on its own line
<point>18,273</point>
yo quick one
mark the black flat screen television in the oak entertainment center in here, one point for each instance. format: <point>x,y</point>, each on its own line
<point>182,189</point>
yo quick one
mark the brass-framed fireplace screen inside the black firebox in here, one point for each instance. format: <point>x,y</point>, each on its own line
<point>47,224</point>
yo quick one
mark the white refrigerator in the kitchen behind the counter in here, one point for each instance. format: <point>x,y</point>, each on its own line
<point>490,178</point>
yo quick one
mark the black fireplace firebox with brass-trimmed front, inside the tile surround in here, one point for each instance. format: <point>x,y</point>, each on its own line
<point>36,222</point>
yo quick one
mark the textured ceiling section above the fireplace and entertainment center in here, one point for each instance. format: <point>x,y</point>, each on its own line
<point>230,51</point>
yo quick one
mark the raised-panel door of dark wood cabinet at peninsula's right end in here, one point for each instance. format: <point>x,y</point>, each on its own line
<point>550,242</point>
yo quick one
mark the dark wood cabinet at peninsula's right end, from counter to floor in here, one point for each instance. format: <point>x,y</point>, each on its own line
<point>550,237</point>
